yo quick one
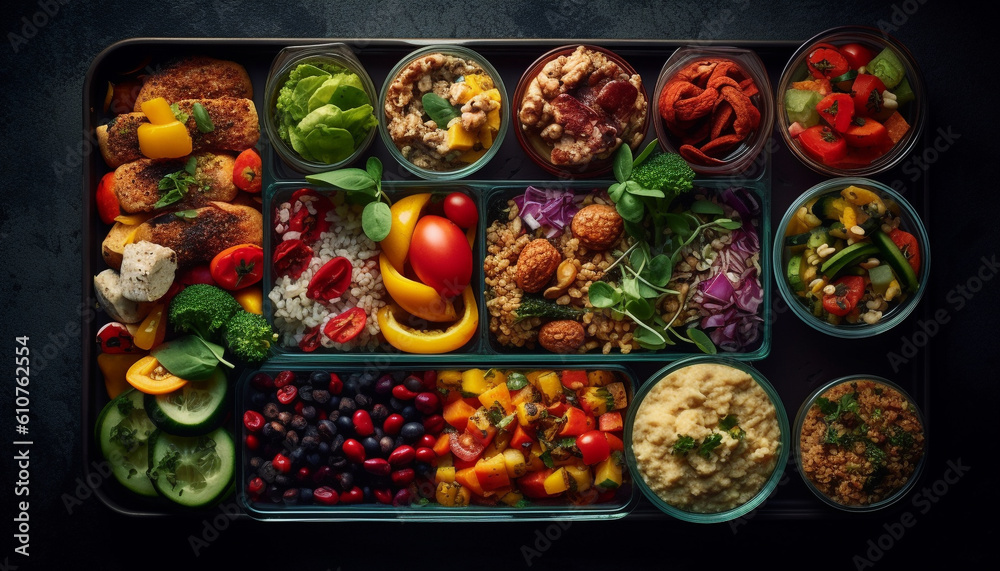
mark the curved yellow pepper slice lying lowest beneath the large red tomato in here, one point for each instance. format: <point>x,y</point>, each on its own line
<point>410,340</point>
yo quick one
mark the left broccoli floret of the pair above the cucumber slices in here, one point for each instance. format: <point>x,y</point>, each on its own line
<point>203,309</point>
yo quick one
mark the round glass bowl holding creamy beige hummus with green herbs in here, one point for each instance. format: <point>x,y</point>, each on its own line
<point>695,461</point>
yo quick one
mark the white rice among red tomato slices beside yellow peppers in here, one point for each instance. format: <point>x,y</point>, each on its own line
<point>295,314</point>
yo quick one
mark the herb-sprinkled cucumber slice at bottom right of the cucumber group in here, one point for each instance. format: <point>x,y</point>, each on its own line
<point>193,471</point>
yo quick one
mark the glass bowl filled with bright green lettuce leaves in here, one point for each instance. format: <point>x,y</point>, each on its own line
<point>336,56</point>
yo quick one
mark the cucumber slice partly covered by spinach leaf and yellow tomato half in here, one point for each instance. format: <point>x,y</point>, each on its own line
<point>196,408</point>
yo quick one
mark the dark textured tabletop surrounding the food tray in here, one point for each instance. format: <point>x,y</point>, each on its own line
<point>41,239</point>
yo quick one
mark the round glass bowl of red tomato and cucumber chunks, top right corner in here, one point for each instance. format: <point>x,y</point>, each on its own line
<point>862,156</point>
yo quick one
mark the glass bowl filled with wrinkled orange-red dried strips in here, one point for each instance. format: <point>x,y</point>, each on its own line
<point>721,132</point>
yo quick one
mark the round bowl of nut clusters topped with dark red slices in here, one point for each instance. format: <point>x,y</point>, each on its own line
<point>541,107</point>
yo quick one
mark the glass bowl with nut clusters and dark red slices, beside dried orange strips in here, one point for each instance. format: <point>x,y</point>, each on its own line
<point>575,163</point>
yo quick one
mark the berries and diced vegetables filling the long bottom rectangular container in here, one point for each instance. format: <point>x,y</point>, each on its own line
<point>449,437</point>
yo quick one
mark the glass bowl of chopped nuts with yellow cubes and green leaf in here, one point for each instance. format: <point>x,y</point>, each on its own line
<point>474,150</point>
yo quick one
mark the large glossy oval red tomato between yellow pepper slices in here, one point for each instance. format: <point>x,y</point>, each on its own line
<point>440,255</point>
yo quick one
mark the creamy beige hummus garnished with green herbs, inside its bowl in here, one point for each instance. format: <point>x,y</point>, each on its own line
<point>706,438</point>
